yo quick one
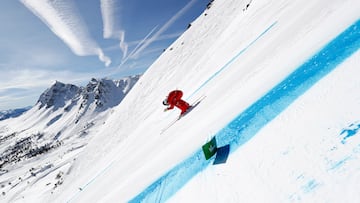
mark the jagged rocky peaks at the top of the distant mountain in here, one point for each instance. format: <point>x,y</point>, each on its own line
<point>100,93</point>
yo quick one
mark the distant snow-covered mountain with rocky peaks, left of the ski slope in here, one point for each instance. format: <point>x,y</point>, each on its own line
<point>51,134</point>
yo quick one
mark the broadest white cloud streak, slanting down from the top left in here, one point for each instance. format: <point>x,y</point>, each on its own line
<point>61,17</point>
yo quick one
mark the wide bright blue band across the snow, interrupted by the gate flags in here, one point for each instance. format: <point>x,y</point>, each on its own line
<point>248,123</point>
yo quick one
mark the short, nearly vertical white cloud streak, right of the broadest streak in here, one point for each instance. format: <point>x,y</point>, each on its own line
<point>112,29</point>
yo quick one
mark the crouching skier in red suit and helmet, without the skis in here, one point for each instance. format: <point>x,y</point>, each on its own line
<point>174,99</point>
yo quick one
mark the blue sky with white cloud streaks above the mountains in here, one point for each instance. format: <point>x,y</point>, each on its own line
<point>75,40</point>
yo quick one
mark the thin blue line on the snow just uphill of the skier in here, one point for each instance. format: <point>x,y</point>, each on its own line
<point>232,59</point>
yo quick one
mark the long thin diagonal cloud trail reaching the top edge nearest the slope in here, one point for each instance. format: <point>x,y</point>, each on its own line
<point>162,29</point>
